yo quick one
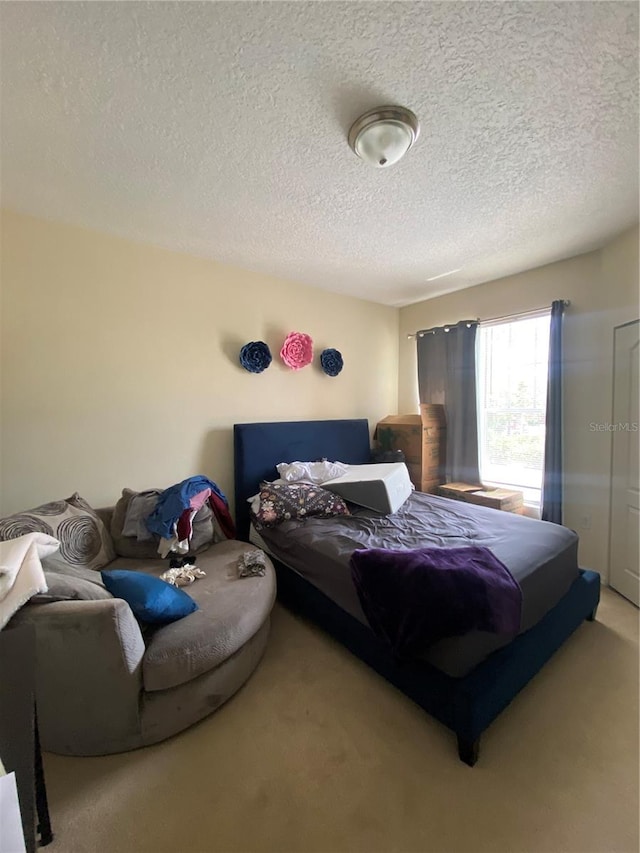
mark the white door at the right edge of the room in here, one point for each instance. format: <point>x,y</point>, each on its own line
<point>624,550</point>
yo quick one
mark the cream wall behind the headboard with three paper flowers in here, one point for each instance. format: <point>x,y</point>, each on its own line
<point>120,362</point>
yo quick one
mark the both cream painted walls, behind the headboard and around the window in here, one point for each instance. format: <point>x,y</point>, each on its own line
<point>119,362</point>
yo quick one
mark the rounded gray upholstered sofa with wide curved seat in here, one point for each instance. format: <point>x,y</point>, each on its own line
<point>106,684</point>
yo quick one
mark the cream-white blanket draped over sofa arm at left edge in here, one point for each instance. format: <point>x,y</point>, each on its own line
<point>21,574</point>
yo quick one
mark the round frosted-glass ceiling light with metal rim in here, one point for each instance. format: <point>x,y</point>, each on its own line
<point>383,135</point>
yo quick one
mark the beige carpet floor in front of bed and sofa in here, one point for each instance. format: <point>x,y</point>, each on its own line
<point>317,753</point>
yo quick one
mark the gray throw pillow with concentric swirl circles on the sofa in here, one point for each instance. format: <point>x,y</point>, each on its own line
<point>84,540</point>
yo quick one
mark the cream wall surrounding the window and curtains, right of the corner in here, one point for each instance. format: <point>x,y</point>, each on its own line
<point>603,289</point>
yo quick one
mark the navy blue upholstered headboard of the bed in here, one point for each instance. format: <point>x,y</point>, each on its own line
<point>258,448</point>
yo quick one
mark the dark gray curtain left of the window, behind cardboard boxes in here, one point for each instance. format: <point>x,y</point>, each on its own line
<point>447,375</point>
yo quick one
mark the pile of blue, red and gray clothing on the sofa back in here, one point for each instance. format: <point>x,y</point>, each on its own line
<point>170,513</point>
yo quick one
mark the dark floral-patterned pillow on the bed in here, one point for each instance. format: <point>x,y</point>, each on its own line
<point>283,502</point>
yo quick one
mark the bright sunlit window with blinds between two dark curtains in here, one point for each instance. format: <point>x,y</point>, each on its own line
<point>512,398</point>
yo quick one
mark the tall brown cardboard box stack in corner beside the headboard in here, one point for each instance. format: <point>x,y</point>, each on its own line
<point>422,440</point>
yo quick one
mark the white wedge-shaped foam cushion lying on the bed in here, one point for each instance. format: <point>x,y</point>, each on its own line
<point>383,487</point>
